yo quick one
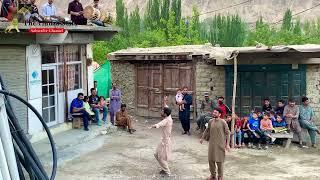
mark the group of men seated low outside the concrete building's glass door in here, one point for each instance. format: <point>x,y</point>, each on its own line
<point>93,106</point>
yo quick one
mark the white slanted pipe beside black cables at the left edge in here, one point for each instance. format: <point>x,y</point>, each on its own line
<point>7,142</point>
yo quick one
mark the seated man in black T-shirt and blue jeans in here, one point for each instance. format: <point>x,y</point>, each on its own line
<point>94,103</point>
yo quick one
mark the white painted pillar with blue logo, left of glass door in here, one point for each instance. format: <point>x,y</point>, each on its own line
<point>33,59</point>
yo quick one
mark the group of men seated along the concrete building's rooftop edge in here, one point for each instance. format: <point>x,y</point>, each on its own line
<point>27,11</point>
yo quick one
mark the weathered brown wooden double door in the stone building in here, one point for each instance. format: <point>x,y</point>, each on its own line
<point>155,80</point>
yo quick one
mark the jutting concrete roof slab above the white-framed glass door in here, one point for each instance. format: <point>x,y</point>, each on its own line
<point>72,35</point>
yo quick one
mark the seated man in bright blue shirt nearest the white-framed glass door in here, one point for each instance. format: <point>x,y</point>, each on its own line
<point>77,107</point>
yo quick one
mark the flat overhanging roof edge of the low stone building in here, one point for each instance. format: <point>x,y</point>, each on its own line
<point>300,54</point>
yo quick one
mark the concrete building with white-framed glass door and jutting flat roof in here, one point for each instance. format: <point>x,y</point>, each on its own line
<point>48,70</point>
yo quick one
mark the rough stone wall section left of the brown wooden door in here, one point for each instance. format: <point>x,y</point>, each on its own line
<point>123,73</point>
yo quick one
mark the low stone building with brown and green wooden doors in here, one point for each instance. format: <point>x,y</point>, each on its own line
<point>145,76</point>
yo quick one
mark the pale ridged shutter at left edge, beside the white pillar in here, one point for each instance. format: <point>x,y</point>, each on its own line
<point>13,72</point>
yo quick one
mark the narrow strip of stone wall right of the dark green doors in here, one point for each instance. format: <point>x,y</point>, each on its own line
<point>313,78</point>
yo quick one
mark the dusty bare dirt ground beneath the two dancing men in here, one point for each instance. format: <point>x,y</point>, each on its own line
<point>126,156</point>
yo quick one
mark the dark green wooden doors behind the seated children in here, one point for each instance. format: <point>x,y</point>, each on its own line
<point>259,82</point>
